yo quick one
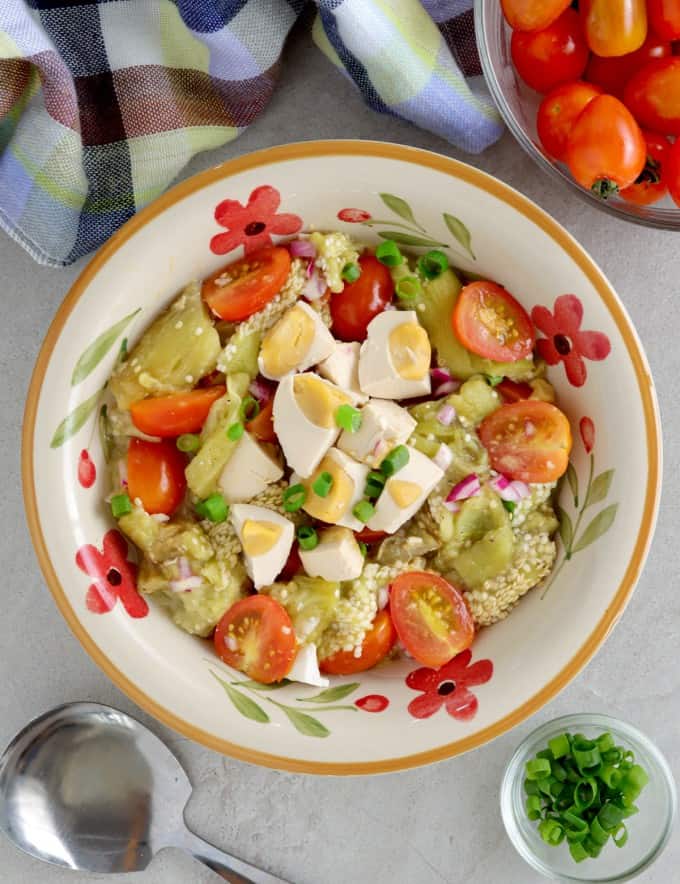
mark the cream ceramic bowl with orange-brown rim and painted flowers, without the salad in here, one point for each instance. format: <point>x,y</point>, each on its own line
<point>518,664</point>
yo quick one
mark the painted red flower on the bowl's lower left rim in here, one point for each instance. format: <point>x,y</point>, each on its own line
<point>113,576</point>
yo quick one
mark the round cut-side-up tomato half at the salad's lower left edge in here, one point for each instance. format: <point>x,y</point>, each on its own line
<point>256,636</point>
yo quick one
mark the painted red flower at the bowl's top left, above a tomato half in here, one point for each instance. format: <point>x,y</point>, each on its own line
<point>253,224</point>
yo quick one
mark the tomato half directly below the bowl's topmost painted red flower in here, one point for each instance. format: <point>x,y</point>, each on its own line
<point>240,289</point>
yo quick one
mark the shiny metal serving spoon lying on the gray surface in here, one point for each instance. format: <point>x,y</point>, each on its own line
<point>90,788</point>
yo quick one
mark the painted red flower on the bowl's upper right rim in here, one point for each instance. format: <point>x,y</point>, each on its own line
<point>565,342</point>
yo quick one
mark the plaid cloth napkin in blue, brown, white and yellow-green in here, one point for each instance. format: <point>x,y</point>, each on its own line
<point>103,103</point>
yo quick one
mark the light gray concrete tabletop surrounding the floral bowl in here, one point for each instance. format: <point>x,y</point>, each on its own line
<point>437,824</point>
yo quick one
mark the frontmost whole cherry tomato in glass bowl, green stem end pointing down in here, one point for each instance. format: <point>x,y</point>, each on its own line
<point>605,149</point>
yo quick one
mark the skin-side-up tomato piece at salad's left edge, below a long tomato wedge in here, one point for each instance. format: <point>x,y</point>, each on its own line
<point>155,475</point>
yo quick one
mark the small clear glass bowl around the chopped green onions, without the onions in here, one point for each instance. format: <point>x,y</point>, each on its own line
<point>648,831</point>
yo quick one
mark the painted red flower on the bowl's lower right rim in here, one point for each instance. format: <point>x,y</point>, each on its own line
<point>449,686</point>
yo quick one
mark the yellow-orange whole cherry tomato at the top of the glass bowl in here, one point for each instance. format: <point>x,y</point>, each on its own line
<point>614,27</point>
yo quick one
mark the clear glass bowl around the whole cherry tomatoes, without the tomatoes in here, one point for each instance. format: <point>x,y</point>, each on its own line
<point>518,105</point>
